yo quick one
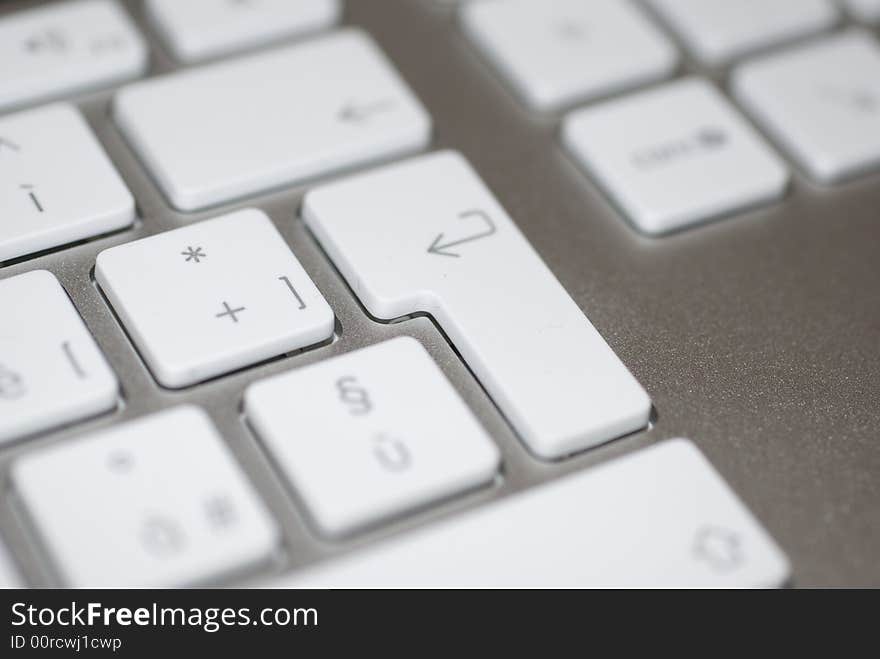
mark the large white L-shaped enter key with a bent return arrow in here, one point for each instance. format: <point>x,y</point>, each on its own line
<point>428,236</point>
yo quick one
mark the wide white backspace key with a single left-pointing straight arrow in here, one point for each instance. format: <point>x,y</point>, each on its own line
<point>342,105</point>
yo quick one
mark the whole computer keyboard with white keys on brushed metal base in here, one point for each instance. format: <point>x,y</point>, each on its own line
<point>304,294</point>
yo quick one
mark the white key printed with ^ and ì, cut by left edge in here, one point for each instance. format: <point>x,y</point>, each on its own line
<point>56,183</point>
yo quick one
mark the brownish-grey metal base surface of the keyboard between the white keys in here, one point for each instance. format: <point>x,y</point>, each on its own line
<point>757,336</point>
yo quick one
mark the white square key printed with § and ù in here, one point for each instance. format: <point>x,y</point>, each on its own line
<point>371,434</point>
